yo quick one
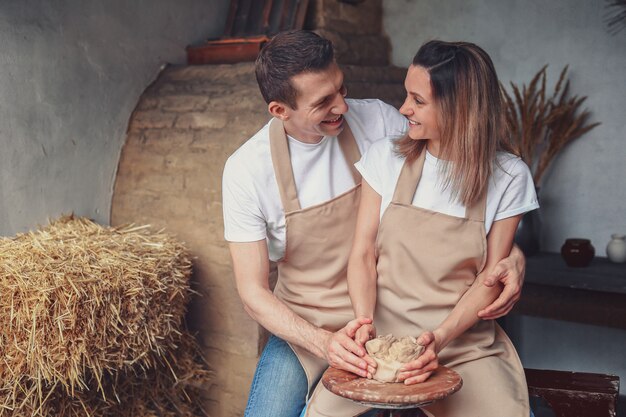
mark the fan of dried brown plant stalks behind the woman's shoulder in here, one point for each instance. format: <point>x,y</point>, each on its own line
<point>540,128</point>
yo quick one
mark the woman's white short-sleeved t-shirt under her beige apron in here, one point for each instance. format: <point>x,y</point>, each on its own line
<point>511,190</point>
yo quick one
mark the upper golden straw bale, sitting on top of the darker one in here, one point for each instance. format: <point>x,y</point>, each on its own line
<point>79,301</point>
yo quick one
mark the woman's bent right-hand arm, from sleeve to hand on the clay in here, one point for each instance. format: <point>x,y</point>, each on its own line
<point>465,313</point>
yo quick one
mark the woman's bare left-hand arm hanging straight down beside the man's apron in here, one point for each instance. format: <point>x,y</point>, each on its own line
<point>362,262</point>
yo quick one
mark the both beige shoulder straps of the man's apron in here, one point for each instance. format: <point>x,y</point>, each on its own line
<point>279,147</point>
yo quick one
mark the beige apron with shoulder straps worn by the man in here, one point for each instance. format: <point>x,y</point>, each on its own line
<point>312,276</point>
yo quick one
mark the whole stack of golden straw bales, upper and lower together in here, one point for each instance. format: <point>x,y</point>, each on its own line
<point>92,323</point>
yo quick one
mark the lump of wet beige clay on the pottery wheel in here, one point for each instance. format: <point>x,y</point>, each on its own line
<point>390,354</point>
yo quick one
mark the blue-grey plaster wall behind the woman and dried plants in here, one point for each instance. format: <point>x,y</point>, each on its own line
<point>584,195</point>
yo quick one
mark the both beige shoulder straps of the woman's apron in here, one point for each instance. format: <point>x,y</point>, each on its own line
<point>409,179</point>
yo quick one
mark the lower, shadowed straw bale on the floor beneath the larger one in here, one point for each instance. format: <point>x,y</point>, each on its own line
<point>174,387</point>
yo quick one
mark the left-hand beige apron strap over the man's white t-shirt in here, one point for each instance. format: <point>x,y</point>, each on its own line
<point>282,167</point>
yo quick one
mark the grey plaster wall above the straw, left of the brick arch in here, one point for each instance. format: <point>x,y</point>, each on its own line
<point>71,72</point>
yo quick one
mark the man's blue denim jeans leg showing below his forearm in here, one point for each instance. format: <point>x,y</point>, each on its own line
<point>279,386</point>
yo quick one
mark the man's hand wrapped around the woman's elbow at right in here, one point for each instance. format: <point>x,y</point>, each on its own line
<point>510,273</point>
